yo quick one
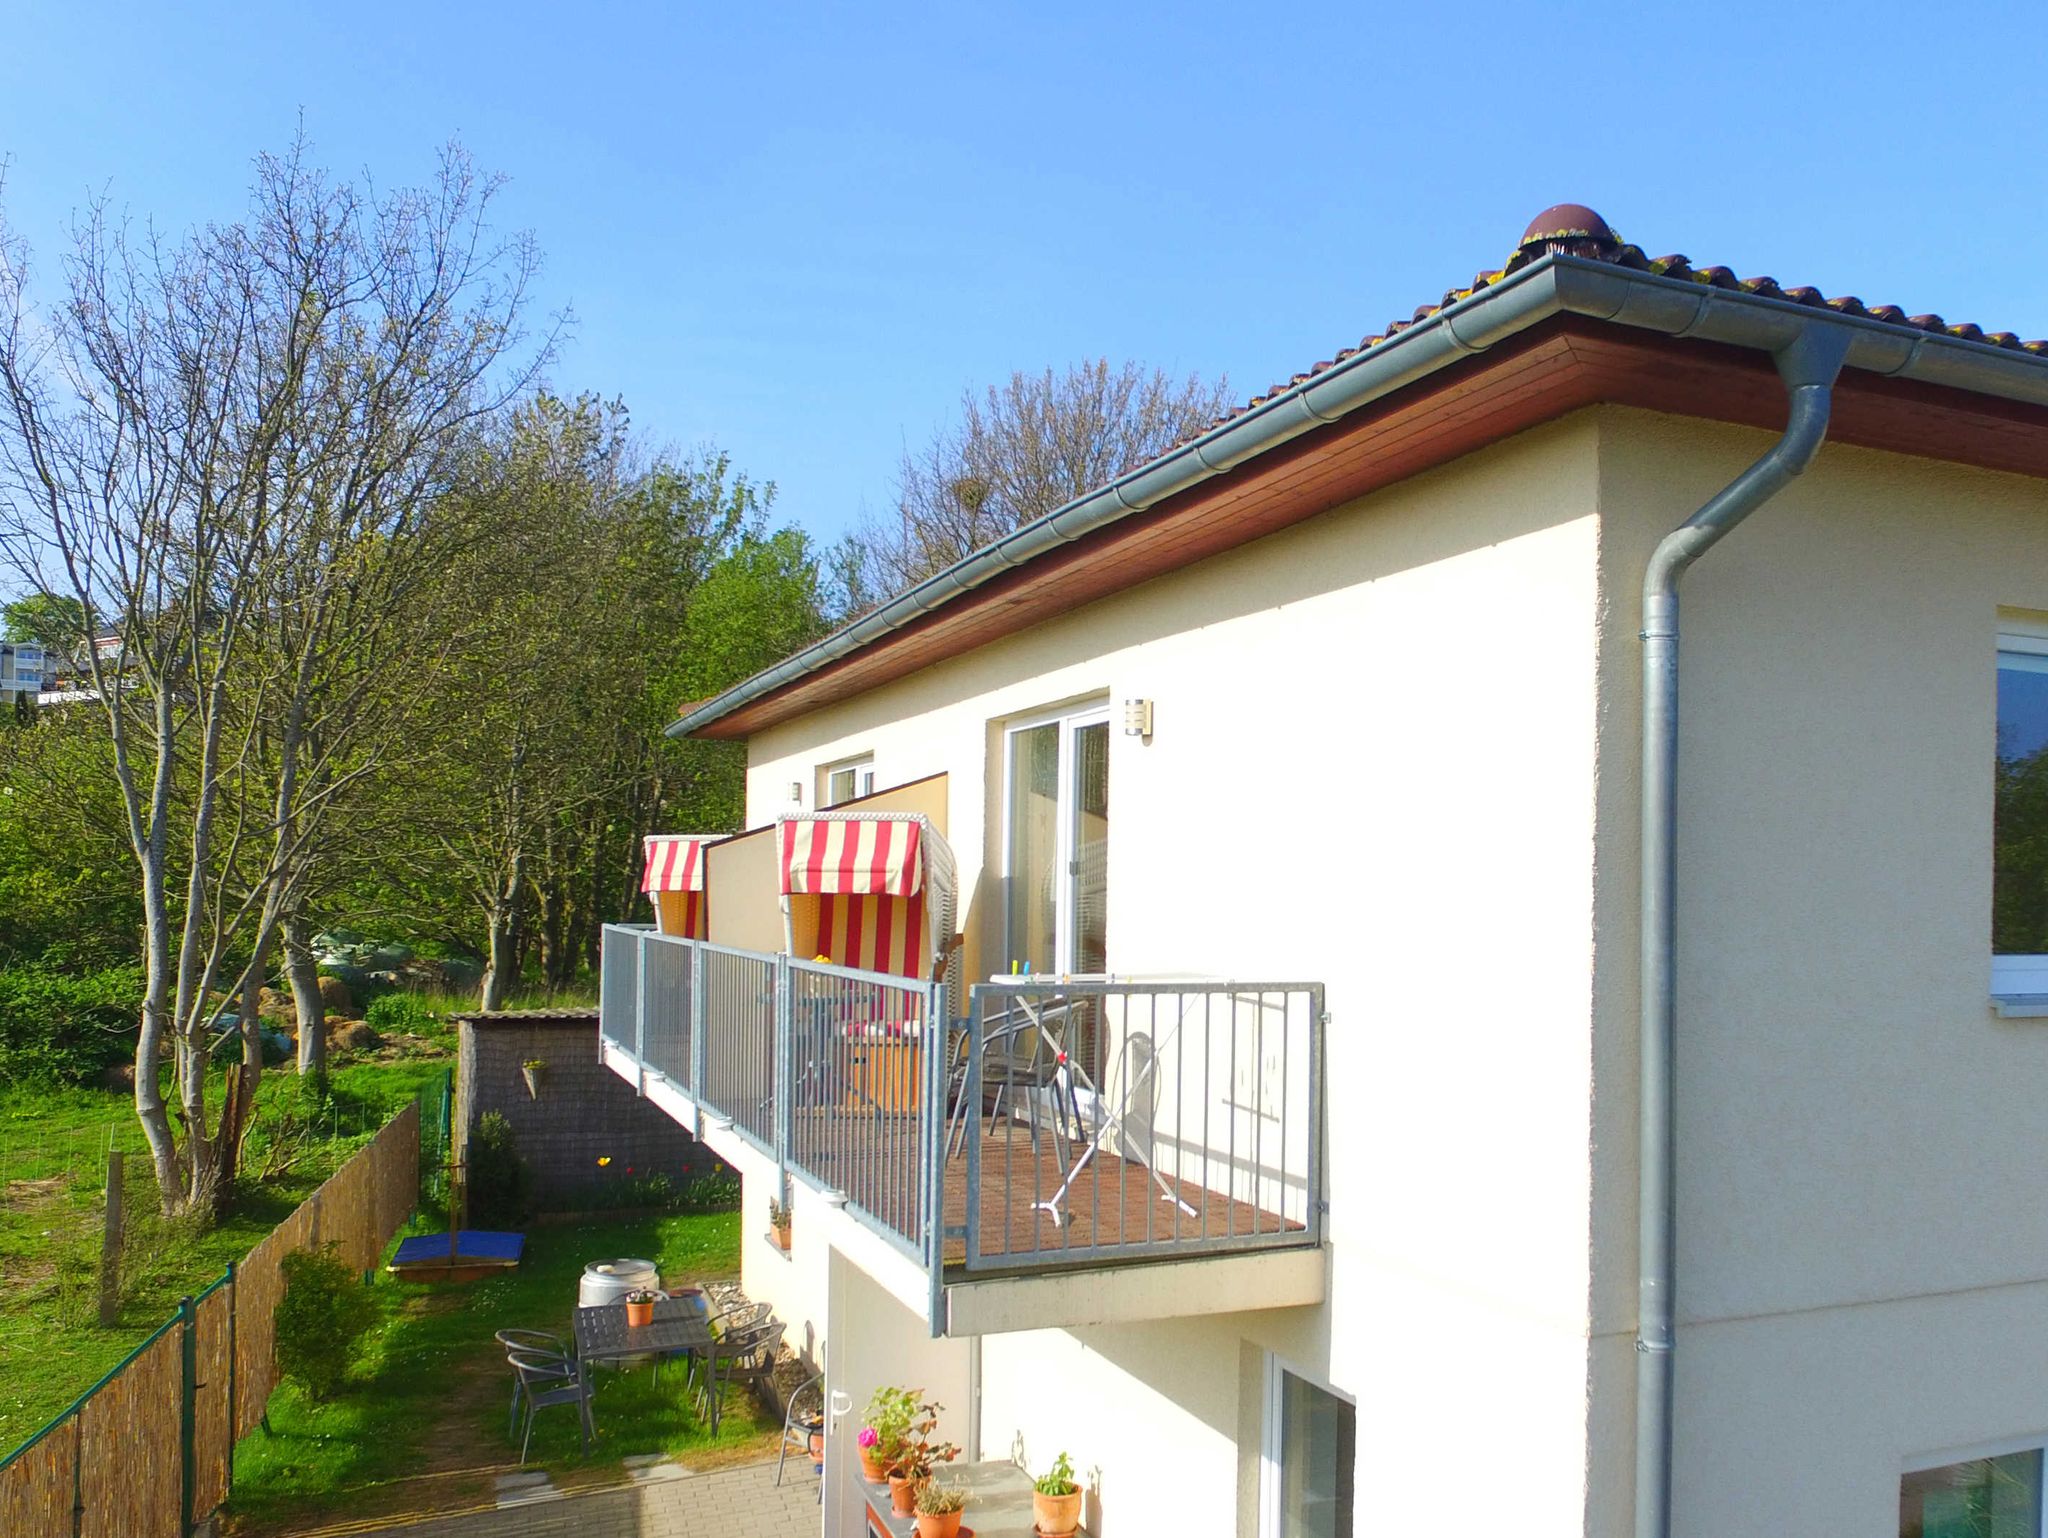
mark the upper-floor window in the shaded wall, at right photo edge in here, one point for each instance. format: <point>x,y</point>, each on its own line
<point>2020,820</point>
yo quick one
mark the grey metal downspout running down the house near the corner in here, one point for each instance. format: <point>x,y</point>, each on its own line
<point>1809,368</point>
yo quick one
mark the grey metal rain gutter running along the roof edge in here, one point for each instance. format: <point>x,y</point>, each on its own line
<point>1555,286</point>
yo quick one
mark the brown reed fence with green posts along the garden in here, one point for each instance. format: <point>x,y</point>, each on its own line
<point>151,1447</point>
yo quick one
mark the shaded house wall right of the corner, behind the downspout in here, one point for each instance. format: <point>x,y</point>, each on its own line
<point>1861,1142</point>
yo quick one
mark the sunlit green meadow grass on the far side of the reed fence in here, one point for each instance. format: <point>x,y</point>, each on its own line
<point>52,1177</point>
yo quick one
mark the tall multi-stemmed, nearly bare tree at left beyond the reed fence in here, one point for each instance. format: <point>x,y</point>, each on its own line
<point>220,450</point>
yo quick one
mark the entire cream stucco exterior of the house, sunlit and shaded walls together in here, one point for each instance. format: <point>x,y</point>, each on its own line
<point>1396,753</point>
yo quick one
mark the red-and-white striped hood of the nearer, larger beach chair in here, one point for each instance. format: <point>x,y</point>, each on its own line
<point>869,890</point>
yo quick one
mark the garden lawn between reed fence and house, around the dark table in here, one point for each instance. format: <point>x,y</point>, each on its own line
<point>423,1422</point>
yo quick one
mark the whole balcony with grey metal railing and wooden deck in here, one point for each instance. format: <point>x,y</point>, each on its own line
<point>1089,1148</point>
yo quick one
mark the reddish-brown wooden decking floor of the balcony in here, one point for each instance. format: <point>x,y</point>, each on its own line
<point>1113,1203</point>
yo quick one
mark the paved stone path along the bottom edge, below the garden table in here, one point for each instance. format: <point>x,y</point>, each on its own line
<point>665,1502</point>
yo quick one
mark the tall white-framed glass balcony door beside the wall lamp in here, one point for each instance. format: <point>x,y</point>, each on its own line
<point>1058,843</point>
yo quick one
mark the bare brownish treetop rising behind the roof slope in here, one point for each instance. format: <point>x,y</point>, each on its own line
<point>1015,456</point>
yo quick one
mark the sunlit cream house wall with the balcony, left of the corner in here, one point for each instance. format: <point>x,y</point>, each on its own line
<point>1373,767</point>
